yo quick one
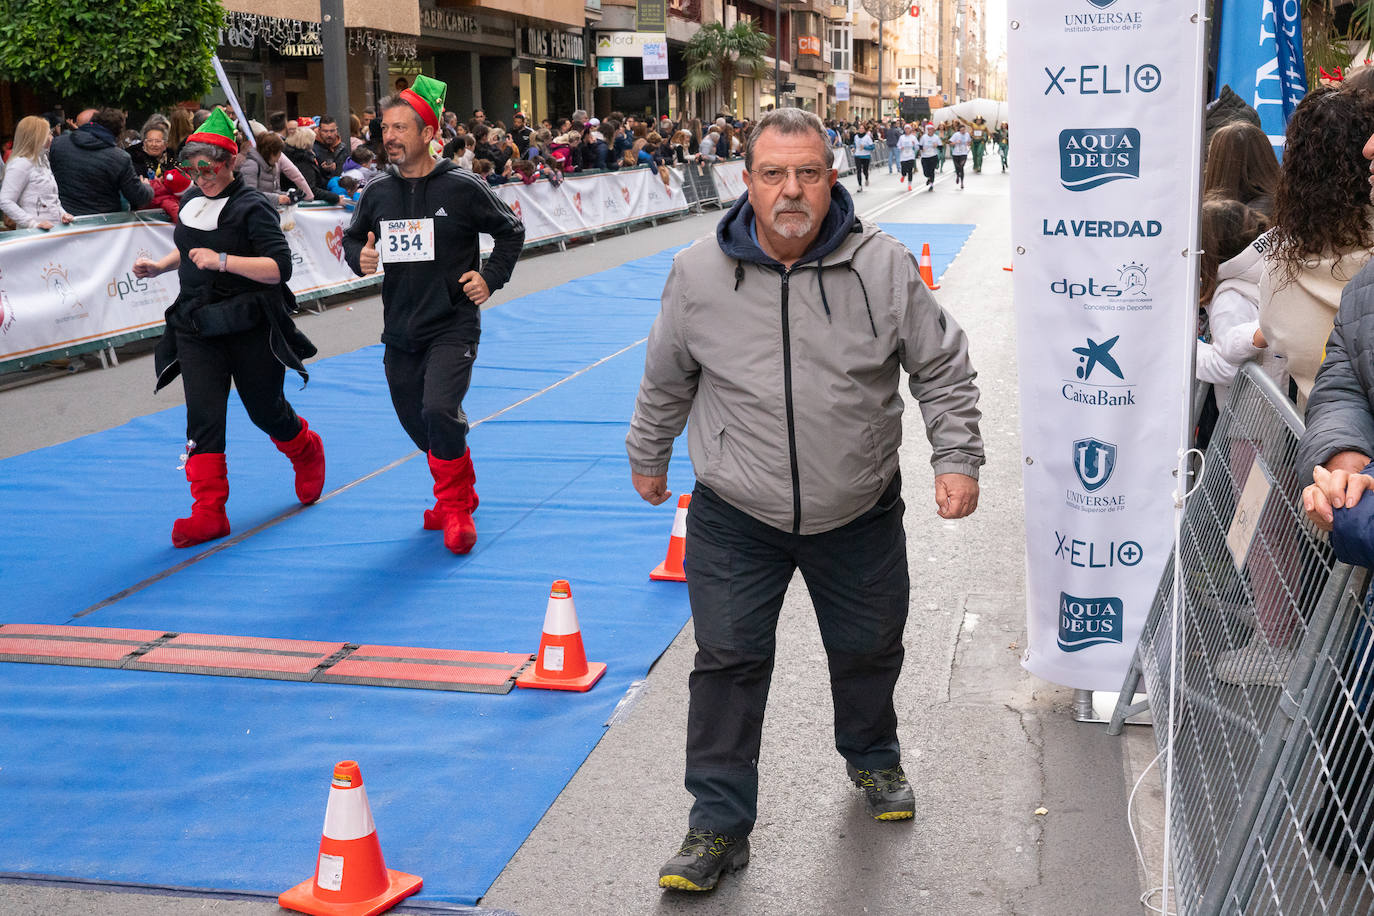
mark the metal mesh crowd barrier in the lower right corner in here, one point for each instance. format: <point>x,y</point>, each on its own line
<point>1273,790</point>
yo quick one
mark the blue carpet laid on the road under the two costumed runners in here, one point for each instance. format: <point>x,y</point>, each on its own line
<point>219,783</point>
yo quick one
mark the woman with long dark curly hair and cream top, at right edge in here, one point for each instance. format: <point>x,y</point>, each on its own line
<point>1322,227</point>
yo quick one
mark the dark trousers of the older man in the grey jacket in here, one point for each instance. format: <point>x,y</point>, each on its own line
<point>739,571</point>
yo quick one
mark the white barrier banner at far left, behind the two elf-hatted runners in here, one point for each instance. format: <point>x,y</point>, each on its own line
<point>76,285</point>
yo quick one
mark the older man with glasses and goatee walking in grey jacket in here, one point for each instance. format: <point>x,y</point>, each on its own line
<point>785,339</point>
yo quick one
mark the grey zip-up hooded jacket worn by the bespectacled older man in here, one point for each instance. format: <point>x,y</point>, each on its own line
<point>792,377</point>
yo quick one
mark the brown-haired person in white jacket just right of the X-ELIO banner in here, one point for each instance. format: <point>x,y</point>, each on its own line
<point>1233,296</point>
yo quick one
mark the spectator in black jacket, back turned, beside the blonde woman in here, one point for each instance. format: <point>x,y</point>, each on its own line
<point>93,172</point>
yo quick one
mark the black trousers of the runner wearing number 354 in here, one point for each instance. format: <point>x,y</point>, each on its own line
<point>428,391</point>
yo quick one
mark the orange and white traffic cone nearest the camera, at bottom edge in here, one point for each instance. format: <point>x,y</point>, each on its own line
<point>351,880</point>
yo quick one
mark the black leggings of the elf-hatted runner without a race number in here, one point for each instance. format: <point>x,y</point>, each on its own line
<point>210,365</point>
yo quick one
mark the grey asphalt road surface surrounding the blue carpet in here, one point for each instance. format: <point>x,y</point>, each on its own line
<point>986,745</point>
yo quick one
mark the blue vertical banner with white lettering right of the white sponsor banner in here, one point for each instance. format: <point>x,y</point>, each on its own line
<point>1261,58</point>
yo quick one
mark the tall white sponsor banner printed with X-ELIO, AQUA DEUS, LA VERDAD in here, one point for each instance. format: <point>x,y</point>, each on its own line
<point>1103,214</point>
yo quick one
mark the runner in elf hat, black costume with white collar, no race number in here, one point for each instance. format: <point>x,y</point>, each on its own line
<point>230,323</point>
